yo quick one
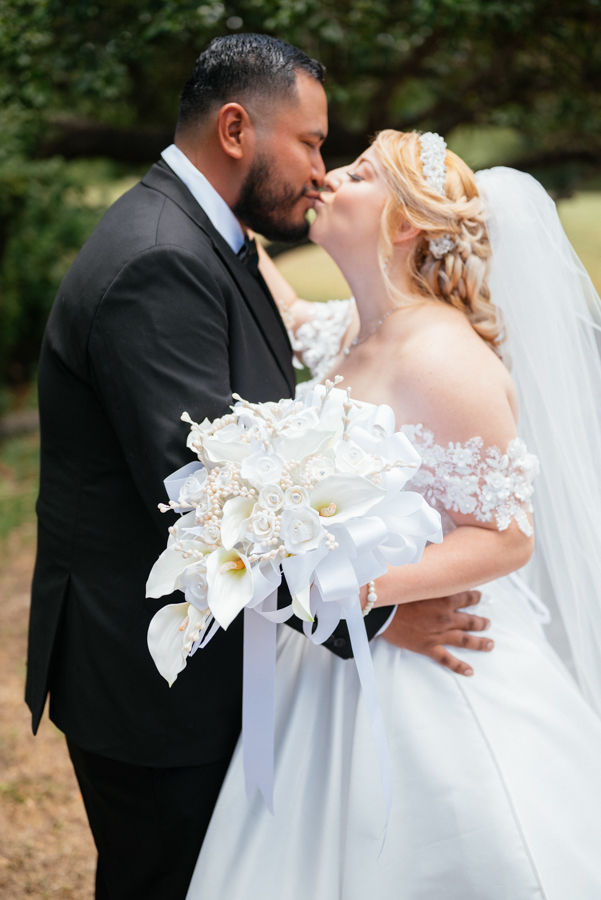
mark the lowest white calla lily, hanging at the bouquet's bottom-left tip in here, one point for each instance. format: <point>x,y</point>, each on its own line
<point>172,632</point>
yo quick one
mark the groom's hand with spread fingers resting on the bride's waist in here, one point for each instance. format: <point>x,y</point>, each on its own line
<point>426,626</point>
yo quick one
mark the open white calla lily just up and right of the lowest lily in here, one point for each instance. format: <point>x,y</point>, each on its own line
<point>231,584</point>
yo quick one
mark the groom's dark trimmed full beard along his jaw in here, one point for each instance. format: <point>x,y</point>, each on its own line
<point>266,205</point>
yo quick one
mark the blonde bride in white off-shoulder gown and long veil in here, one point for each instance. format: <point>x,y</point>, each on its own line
<point>497,778</point>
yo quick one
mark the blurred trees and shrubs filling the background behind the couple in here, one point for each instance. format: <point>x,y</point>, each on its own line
<point>89,95</point>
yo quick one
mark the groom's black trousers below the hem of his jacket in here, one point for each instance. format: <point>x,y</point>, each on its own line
<point>148,823</point>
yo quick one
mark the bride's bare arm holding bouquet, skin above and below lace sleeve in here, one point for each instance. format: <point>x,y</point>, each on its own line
<point>460,396</point>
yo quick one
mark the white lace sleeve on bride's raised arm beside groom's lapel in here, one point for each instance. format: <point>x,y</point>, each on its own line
<point>317,341</point>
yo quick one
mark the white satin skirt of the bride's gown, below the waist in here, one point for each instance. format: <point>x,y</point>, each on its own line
<point>497,779</point>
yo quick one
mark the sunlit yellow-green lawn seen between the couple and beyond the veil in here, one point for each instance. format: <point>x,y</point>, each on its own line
<point>317,277</point>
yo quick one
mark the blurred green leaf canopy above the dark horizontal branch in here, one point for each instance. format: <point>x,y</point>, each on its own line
<point>530,64</point>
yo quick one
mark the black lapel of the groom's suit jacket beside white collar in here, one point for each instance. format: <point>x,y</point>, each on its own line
<point>255,293</point>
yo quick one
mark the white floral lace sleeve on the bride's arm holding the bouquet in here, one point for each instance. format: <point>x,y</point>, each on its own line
<point>466,479</point>
